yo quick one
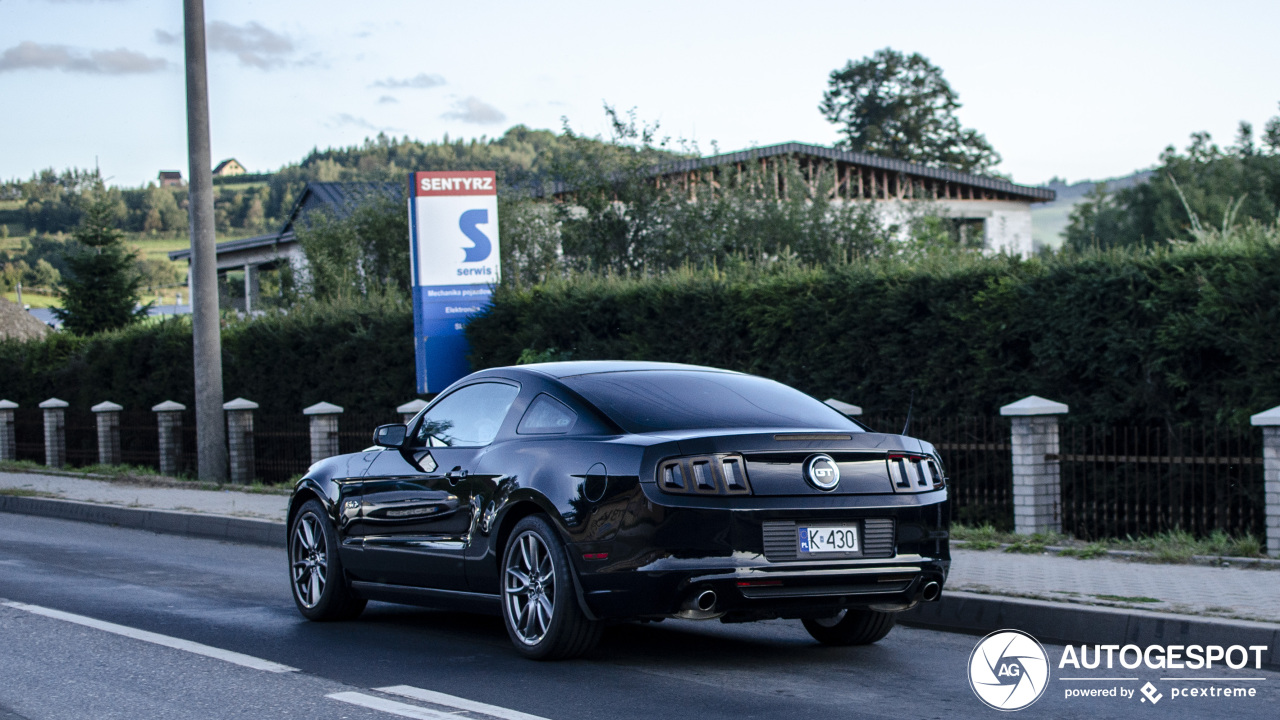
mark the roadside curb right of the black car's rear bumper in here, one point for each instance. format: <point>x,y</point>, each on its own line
<point>1081,625</point>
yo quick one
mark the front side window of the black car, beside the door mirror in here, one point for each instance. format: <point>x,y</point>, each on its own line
<point>469,417</point>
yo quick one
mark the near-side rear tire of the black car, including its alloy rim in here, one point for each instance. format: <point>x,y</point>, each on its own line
<point>540,604</point>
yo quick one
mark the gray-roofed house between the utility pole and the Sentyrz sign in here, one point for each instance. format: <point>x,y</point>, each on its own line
<point>272,252</point>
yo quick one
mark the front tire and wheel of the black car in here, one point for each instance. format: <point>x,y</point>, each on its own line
<point>319,585</point>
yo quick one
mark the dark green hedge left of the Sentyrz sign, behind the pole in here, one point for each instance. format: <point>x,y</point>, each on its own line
<point>360,358</point>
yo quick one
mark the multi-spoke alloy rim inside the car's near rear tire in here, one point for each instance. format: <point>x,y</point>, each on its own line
<point>529,587</point>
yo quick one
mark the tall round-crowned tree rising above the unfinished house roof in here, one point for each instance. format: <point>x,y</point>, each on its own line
<point>900,107</point>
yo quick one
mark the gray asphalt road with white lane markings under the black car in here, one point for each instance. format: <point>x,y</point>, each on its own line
<point>232,598</point>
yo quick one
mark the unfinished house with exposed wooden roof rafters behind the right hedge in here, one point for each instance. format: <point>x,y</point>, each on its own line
<point>995,211</point>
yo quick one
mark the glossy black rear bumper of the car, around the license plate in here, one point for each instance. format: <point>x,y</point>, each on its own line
<point>660,568</point>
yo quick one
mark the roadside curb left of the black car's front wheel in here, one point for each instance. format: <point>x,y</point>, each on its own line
<point>168,522</point>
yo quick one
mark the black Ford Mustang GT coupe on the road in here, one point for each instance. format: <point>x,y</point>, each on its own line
<point>568,495</point>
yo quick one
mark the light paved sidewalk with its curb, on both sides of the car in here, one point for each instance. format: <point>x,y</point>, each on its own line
<point>1066,599</point>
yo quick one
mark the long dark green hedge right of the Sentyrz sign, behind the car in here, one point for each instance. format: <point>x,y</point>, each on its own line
<point>1122,336</point>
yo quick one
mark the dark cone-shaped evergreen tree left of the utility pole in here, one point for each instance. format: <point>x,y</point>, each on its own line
<point>100,290</point>
